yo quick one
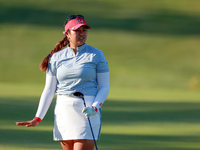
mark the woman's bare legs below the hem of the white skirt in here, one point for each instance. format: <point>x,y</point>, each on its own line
<point>83,144</point>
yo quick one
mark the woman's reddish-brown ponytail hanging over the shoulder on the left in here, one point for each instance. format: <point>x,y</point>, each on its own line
<point>44,64</point>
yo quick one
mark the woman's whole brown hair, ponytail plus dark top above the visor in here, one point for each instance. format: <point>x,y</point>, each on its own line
<point>64,42</point>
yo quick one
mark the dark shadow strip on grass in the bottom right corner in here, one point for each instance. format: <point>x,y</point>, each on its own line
<point>148,142</point>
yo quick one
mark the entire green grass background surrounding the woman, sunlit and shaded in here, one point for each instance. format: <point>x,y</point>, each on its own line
<point>152,48</point>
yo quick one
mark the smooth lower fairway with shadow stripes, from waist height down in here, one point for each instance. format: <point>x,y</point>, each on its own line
<point>143,120</point>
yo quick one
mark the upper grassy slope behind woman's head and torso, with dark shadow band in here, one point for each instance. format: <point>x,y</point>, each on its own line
<point>148,44</point>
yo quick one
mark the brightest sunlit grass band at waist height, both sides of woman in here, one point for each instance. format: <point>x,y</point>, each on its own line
<point>128,94</point>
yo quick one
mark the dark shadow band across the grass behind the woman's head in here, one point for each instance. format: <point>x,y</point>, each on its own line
<point>158,22</point>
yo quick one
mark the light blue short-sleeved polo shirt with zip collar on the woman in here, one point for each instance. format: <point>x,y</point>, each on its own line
<point>77,72</point>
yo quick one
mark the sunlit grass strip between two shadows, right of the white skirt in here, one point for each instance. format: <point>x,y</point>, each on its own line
<point>154,129</point>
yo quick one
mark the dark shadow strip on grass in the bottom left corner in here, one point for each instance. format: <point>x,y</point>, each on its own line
<point>28,139</point>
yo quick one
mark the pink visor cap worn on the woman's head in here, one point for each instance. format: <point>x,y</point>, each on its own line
<point>75,24</point>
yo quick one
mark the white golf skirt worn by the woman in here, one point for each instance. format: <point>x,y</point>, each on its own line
<point>69,121</point>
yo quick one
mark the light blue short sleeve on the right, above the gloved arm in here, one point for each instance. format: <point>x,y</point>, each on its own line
<point>102,65</point>
